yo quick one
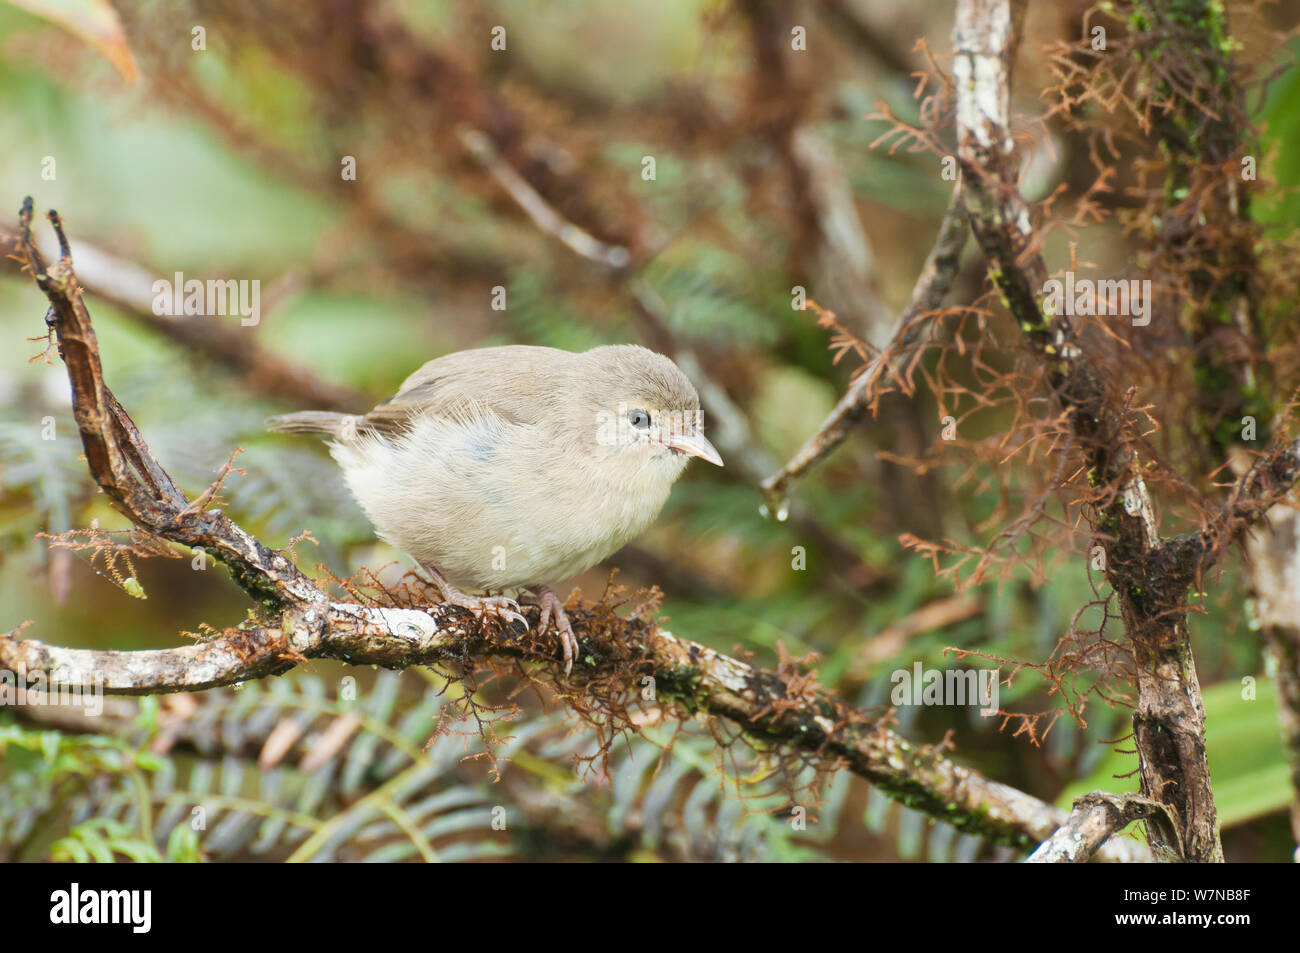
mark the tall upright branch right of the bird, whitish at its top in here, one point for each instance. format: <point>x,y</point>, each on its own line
<point>1169,724</point>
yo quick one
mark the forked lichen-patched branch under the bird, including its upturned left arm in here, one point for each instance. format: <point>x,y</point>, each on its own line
<point>297,621</point>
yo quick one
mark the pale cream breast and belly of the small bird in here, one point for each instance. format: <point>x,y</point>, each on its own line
<point>496,504</point>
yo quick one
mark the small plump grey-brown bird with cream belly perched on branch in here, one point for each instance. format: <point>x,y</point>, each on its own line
<point>518,467</point>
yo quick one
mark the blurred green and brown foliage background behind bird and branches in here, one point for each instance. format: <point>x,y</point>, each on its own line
<point>656,172</point>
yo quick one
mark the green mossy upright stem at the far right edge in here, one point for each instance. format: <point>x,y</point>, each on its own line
<point>1208,240</point>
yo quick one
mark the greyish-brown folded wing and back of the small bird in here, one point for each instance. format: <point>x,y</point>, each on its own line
<point>469,385</point>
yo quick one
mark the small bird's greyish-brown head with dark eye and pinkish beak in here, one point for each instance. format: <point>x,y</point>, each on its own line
<point>645,410</point>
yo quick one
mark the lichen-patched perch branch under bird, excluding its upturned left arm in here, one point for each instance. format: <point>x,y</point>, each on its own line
<point>692,677</point>
